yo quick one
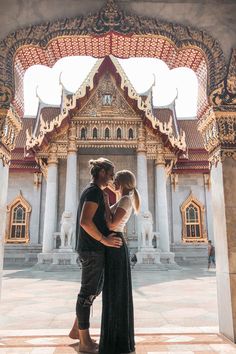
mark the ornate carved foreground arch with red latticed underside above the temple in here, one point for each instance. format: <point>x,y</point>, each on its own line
<point>110,31</point>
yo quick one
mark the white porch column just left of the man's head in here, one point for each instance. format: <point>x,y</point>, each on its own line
<point>71,183</point>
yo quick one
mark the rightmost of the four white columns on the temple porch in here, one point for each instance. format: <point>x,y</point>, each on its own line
<point>161,206</point>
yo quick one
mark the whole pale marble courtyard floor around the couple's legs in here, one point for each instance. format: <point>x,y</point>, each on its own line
<point>175,312</point>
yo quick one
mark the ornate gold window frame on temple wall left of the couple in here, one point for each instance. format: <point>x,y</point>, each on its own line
<point>10,214</point>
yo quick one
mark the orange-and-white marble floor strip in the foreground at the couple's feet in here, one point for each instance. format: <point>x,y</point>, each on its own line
<point>145,344</point>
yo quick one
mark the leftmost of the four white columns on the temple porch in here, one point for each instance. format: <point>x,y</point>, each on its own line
<point>50,217</point>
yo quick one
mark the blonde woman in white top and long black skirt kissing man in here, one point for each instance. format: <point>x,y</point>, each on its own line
<point>117,329</point>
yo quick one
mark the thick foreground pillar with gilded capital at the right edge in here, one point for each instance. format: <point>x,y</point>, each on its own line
<point>218,129</point>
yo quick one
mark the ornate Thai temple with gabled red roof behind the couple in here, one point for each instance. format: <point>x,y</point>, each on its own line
<point>107,117</point>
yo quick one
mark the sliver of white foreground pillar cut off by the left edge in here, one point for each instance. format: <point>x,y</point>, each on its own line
<point>4,173</point>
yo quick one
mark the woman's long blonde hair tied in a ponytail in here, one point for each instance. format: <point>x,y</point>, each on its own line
<point>127,181</point>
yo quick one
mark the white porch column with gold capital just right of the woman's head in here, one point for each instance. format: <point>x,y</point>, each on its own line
<point>142,178</point>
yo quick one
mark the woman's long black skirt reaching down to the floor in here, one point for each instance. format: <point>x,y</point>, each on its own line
<point>117,329</point>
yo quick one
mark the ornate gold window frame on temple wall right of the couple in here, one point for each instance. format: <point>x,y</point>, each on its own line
<point>203,234</point>
